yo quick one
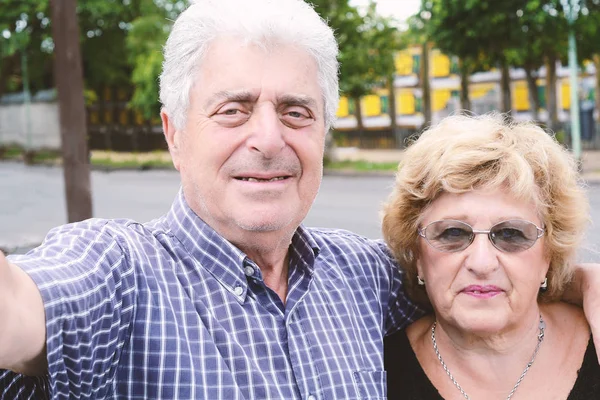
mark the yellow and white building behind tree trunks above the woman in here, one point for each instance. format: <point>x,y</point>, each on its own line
<point>484,92</point>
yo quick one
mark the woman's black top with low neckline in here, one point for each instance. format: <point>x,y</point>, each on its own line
<point>406,380</point>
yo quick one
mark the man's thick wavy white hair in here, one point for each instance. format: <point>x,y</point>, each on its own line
<point>259,22</point>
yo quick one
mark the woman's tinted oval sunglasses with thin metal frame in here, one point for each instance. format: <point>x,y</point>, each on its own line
<point>511,236</point>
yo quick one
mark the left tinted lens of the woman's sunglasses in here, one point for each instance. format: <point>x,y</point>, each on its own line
<point>449,235</point>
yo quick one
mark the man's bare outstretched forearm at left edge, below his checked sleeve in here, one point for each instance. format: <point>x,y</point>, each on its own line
<point>23,326</point>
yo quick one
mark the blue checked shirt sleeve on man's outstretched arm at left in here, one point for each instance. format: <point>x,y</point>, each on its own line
<point>88,288</point>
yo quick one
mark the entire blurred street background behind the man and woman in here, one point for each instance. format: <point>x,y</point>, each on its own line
<point>405,64</point>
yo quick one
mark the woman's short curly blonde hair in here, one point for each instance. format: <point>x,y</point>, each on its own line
<point>464,153</point>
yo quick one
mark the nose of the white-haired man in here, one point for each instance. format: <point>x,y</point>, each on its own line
<point>266,132</point>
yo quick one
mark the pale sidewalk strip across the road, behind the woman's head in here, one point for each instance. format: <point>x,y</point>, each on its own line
<point>590,160</point>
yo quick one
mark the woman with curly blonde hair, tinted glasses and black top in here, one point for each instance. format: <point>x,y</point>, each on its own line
<point>485,219</point>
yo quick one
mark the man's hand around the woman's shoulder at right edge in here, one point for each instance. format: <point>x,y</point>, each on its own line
<point>585,290</point>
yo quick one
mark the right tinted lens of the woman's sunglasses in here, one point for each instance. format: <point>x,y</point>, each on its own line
<point>514,236</point>
